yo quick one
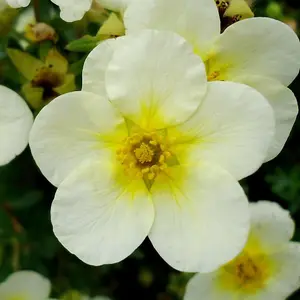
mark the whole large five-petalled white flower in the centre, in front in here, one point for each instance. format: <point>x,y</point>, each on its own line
<point>149,148</point>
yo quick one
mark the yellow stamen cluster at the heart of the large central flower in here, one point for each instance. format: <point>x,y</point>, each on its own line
<point>144,155</point>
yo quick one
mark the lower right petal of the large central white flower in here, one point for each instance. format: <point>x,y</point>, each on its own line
<point>201,218</point>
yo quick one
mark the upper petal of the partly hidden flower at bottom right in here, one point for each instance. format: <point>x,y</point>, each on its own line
<point>270,224</point>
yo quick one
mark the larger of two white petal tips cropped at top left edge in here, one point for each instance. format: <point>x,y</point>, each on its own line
<point>73,10</point>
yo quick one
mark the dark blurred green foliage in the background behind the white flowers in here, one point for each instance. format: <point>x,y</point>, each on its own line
<point>27,240</point>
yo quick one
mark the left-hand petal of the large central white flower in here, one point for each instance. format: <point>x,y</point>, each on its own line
<point>72,128</point>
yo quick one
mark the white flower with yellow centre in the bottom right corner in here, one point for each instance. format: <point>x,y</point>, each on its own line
<point>267,269</point>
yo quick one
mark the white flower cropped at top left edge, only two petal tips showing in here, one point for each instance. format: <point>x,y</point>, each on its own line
<point>71,10</point>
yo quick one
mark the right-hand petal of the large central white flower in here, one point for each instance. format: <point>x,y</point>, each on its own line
<point>233,128</point>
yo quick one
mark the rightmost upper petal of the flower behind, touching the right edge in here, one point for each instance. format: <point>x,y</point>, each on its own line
<point>259,46</point>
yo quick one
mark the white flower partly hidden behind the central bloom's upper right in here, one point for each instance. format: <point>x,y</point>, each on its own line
<point>260,52</point>
